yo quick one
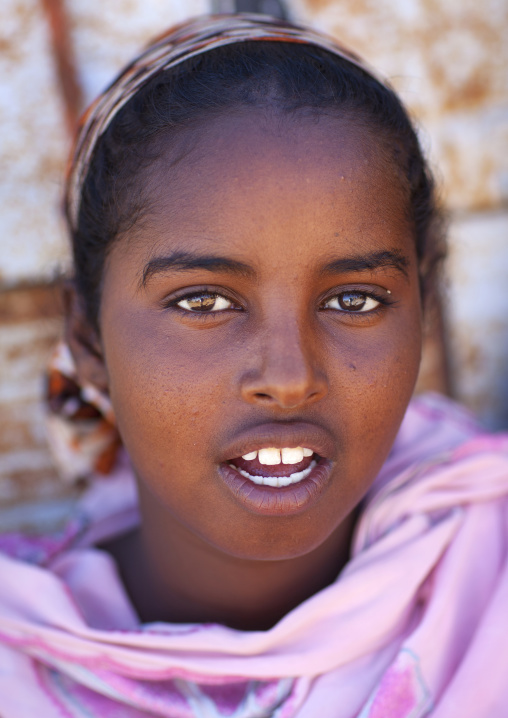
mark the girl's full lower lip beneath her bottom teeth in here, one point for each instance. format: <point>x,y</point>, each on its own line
<point>278,501</point>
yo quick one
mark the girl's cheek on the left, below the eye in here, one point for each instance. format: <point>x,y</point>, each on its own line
<point>168,389</point>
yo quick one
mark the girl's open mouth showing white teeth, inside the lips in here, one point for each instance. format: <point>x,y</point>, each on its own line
<point>276,467</point>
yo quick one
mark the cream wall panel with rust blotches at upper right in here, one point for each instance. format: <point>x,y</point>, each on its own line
<point>449,62</point>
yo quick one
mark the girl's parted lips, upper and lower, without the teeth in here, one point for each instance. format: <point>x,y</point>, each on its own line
<point>286,500</point>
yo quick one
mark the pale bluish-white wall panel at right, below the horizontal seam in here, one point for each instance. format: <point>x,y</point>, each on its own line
<point>478,314</point>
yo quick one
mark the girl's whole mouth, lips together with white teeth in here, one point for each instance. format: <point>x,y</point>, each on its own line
<point>283,479</point>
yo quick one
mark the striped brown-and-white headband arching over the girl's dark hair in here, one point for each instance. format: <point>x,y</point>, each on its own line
<point>180,43</point>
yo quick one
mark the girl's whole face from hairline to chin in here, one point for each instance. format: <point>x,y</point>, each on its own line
<point>268,300</point>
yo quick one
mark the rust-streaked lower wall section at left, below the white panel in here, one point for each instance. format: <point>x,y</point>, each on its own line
<point>30,325</point>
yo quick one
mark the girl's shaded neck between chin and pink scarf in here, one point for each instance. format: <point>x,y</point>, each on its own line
<point>173,575</point>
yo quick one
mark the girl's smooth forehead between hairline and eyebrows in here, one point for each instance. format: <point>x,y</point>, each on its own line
<point>258,180</point>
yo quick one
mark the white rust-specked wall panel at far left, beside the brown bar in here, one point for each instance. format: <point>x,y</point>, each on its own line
<point>33,147</point>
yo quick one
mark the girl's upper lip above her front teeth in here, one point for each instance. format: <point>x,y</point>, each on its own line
<point>278,435</point>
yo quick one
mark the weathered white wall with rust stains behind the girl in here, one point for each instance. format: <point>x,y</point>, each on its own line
<point>448,60</point>
